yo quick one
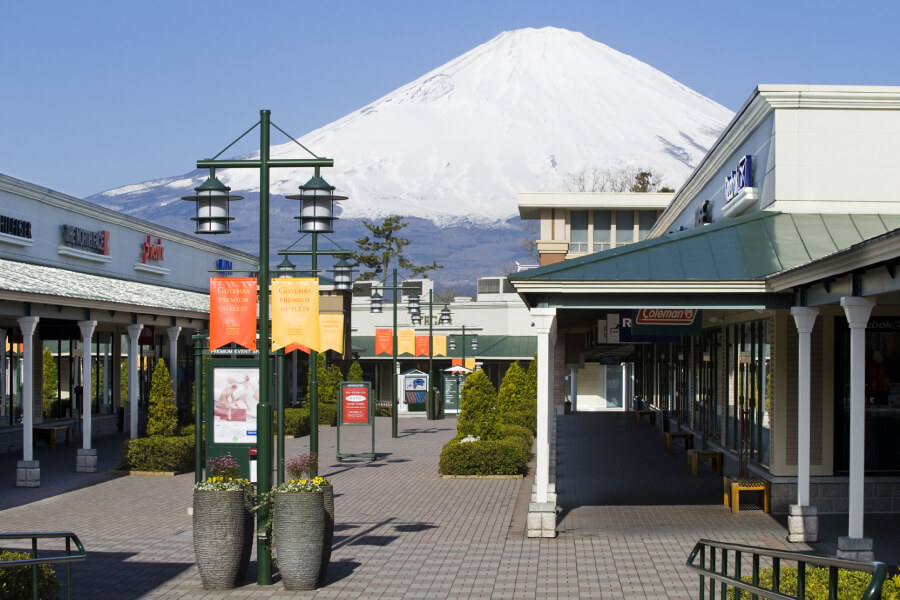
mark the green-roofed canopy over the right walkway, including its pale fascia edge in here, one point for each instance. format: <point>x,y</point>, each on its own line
<point>723,265</point>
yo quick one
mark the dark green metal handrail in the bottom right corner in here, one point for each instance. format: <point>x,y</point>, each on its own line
<point>707,568</point>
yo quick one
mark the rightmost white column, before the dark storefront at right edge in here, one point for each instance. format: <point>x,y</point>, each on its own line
<point>857,310</point>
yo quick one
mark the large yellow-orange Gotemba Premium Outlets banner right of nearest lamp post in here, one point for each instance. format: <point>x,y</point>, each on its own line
<point>295,312</point>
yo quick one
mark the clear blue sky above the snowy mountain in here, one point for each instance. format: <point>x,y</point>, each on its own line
<point>94,94</point>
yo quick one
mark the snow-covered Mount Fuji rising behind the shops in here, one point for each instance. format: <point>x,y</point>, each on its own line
<point>451,150</point>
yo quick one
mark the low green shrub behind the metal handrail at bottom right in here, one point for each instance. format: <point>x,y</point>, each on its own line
<point>851,584</point>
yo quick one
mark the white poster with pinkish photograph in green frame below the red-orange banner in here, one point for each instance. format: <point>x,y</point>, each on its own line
<point>235,397</point>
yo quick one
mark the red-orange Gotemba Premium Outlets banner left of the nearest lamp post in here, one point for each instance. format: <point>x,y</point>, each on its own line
<point>232,312</point>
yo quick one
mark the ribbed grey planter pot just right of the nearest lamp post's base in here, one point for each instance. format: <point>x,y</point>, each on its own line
<point>298,531</point>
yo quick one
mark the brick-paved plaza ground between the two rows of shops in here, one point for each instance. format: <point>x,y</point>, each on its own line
<point>401,531</point>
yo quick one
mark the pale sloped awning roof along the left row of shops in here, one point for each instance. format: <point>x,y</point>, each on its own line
<point>39,283</point>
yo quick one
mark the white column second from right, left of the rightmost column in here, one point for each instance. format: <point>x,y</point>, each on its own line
<point>805,319</point>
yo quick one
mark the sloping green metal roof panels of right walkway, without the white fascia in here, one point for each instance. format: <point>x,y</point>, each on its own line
<point>747,248</point>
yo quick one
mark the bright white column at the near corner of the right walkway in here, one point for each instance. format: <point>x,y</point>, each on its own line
<point>545,326</point>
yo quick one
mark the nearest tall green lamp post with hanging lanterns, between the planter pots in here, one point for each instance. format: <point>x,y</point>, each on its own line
<point>213,217</point>
